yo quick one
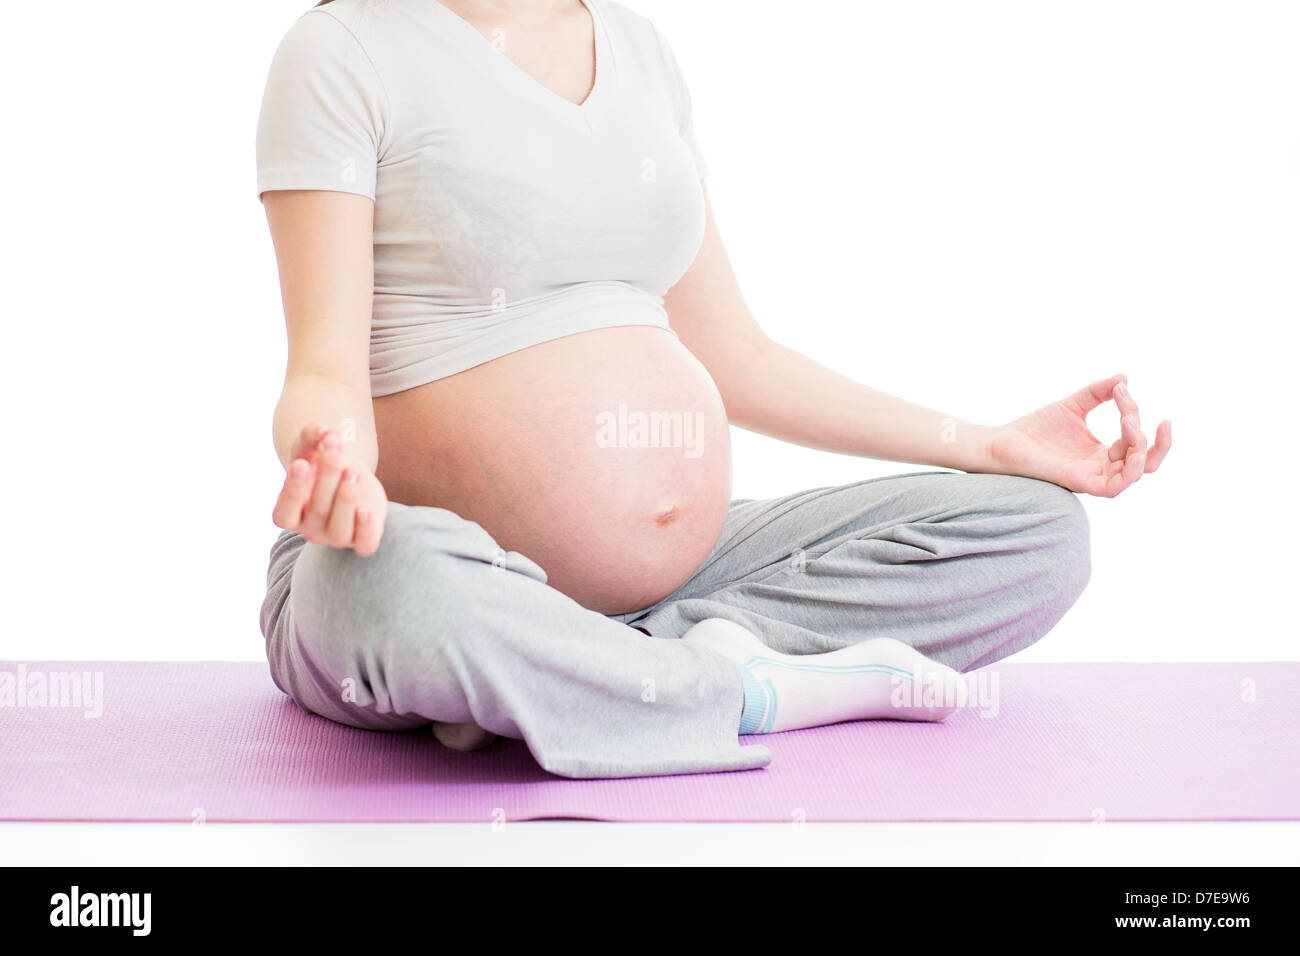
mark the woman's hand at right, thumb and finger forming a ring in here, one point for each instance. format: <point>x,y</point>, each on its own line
<point>1055,444</point>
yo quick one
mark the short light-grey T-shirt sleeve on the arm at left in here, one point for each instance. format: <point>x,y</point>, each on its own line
<point>324,111</point>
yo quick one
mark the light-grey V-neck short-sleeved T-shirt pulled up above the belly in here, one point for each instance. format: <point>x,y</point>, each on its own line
<point>505,215</point>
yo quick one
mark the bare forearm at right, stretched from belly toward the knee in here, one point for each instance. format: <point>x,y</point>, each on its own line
<point>788,396</point>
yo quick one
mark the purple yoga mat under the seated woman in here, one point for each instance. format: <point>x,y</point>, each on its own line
<point>1076,742</point>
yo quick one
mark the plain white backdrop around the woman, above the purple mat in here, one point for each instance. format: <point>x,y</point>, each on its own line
<point>978,206</point>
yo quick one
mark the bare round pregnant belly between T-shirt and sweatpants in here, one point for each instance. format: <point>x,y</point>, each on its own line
<point>604,457</point>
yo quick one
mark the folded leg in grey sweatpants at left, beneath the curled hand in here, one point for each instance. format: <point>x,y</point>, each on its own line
<point>443,625</point>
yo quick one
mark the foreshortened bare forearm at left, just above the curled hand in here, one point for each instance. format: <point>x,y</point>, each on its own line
<point>331,403</point>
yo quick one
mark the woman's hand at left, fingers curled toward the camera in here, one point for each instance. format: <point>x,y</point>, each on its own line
<point>330,499</point>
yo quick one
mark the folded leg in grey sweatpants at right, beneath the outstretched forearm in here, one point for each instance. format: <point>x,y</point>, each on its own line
<point>967,569</point>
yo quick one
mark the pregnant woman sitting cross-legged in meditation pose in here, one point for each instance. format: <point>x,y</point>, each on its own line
<point>515,345</point>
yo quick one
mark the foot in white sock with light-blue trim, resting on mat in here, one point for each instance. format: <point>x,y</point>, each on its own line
<point>879,680</point>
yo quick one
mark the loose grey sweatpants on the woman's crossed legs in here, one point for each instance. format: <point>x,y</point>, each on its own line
<point>443,625</point>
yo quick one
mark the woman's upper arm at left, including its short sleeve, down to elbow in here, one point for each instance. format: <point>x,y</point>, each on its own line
<point>320,136</point>
